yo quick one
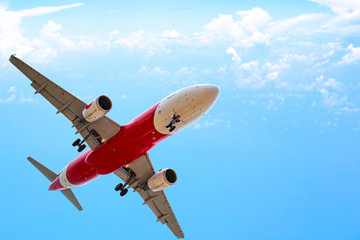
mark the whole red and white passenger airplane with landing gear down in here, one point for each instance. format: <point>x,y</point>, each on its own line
<point>122,150</point>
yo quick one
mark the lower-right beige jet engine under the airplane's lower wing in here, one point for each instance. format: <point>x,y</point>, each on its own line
<point>162,180</point>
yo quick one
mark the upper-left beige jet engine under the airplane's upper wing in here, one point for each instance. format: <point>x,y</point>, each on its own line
<point>97,108</point>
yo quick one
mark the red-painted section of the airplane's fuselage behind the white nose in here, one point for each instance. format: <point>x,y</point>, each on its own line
<point>133,140</point>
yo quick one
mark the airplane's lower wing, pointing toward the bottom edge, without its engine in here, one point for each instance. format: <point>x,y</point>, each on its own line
<point>157,201</point>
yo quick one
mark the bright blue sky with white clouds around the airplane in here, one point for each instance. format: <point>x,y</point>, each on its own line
<point>277,157</point>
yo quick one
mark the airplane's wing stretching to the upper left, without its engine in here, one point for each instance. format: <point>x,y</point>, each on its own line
<point>94,133</point>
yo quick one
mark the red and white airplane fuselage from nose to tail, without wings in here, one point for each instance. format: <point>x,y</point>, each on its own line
<point>138,136</point>
